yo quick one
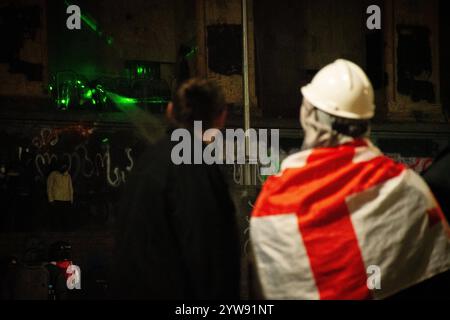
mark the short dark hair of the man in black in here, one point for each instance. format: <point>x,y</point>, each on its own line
<point>197,100</point>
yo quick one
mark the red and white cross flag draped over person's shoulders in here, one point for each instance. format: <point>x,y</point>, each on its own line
<point>319,226</point>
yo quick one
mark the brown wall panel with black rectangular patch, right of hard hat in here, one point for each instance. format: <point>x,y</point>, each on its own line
<point>413,61</point>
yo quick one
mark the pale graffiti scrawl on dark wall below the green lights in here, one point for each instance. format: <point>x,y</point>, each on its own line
<point>84,159</point>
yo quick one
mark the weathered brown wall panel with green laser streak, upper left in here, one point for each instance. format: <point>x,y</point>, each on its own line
<point>143,30</point>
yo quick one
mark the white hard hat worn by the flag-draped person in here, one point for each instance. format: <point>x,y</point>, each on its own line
<point>342,89</point>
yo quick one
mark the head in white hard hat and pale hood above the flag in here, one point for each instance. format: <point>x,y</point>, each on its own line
<point>337,106</point>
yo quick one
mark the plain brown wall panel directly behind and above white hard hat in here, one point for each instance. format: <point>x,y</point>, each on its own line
<point>297,38</point>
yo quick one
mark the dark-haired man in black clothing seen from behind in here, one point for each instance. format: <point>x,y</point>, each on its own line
<point>176,233</point>
